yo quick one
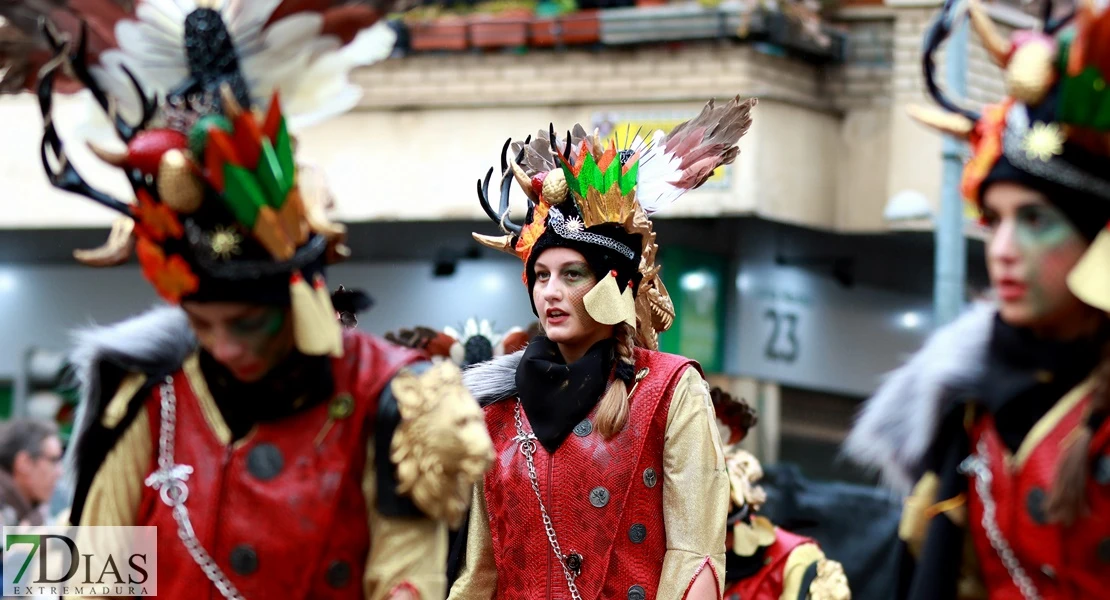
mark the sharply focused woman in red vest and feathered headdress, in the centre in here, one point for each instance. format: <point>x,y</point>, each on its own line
<point>610,480</point>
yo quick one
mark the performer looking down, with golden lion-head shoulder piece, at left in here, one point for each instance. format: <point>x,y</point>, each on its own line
<point>278,455</point>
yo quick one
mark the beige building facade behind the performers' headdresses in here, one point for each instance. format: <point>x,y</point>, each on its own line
<point>830,147</point>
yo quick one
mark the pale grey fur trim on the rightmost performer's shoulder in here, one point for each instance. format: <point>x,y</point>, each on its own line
<point>896,426</point>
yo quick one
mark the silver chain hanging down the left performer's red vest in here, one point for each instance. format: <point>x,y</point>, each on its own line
<point>170,482</point>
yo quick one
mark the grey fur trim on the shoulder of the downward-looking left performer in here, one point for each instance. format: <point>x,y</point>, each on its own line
<point>158,341</point>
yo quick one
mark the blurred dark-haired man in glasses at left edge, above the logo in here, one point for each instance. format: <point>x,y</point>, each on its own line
<point>31,466</point>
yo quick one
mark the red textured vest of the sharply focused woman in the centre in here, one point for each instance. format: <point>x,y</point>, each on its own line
<point>604,497</point>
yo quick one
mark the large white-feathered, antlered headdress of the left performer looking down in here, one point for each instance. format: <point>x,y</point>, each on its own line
<point>221,210</point>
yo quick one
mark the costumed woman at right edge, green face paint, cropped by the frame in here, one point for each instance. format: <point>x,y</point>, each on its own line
<point>1001,420</point>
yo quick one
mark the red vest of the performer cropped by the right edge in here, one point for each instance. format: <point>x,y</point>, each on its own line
<point>1064,563</point>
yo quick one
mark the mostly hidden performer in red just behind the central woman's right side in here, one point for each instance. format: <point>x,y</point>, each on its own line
<point>764,562</point>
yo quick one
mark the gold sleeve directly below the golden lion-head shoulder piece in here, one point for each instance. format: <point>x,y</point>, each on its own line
<point>405,553</point>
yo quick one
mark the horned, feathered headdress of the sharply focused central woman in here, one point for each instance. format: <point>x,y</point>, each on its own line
<point>597,198</point>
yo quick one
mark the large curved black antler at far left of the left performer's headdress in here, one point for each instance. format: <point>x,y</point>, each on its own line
<point>53,151</point>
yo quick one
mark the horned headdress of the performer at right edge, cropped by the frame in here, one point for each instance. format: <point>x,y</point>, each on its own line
<point>1054,129</point>
